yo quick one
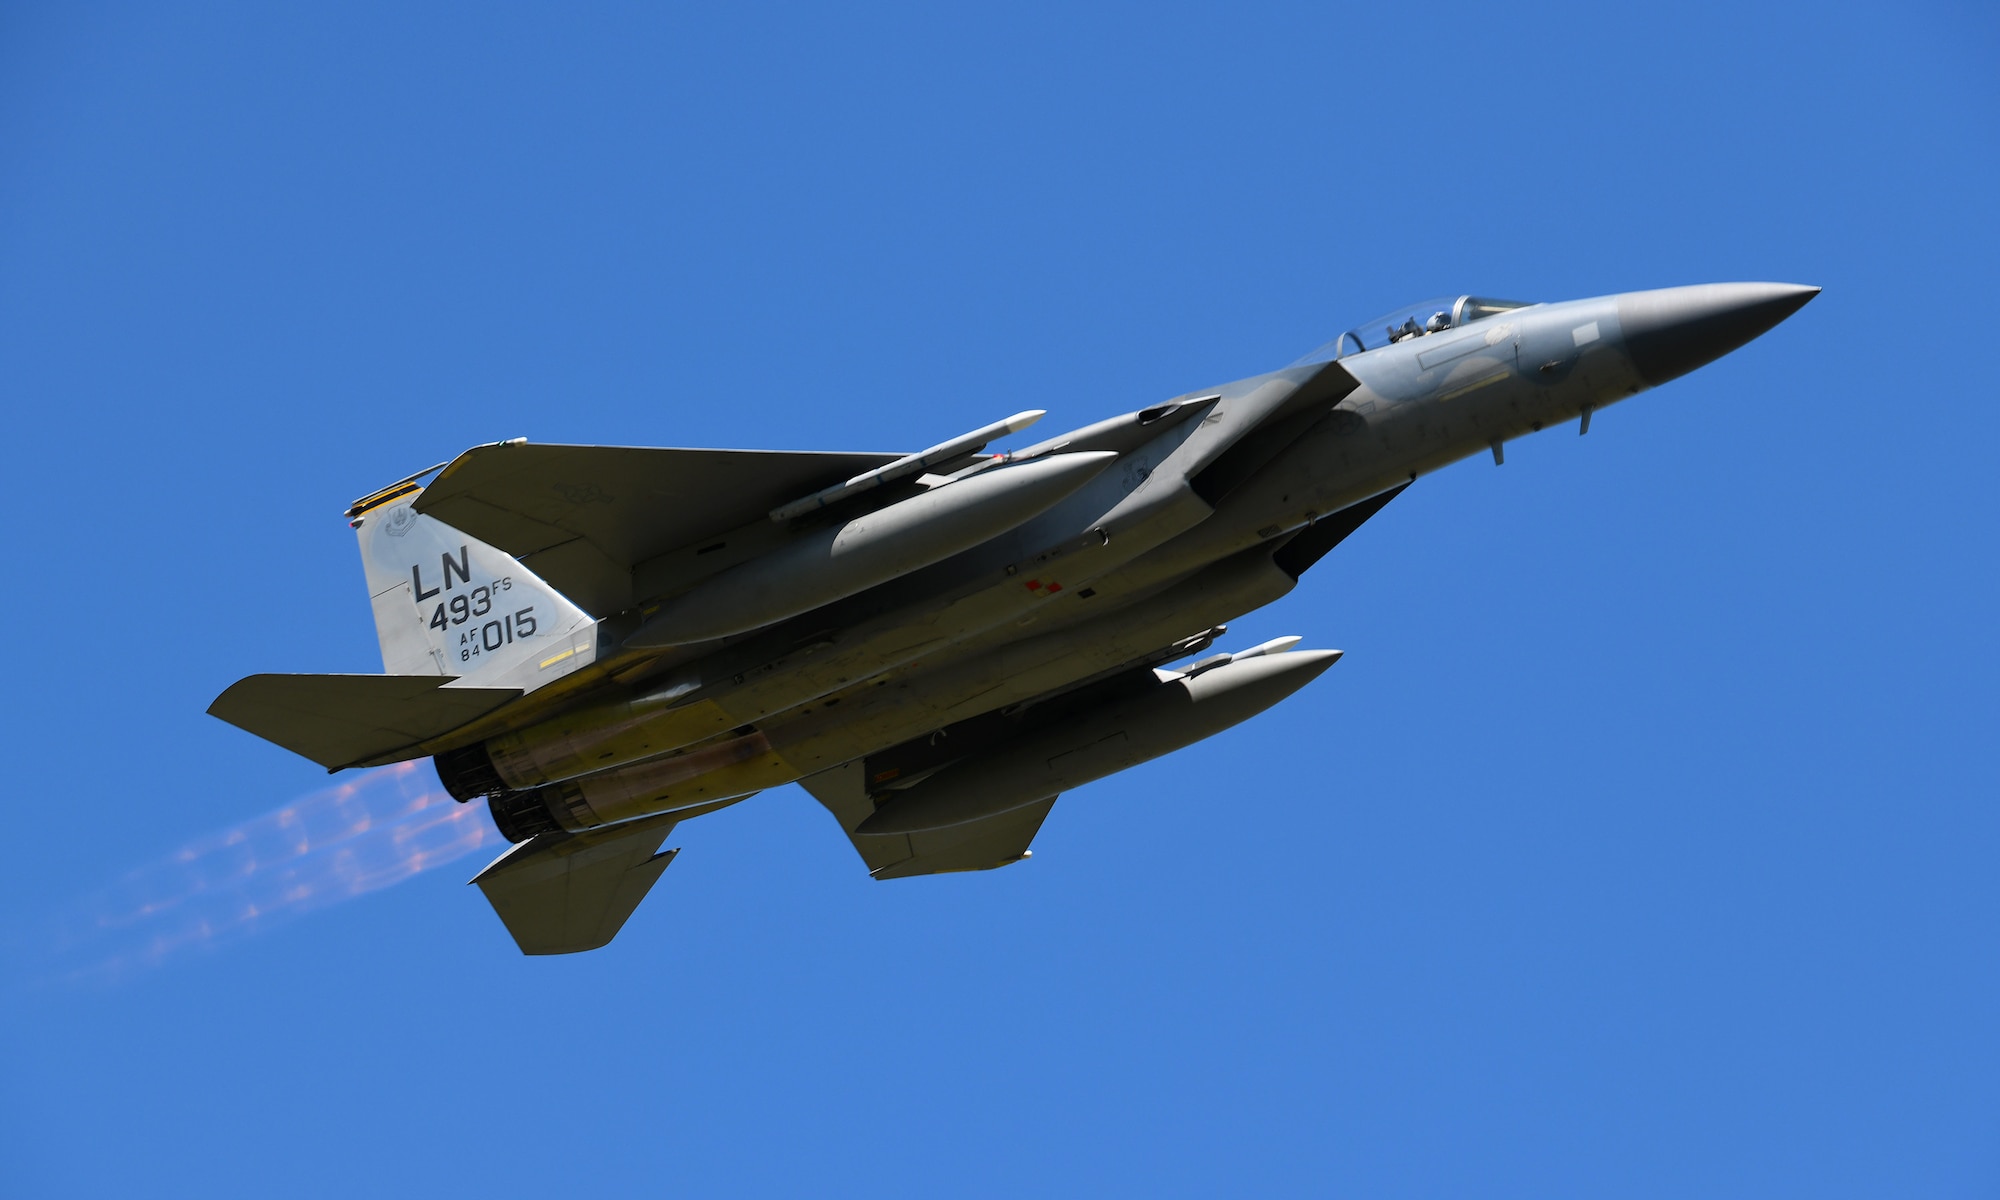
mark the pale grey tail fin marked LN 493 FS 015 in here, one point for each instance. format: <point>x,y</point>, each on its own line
<point>451,605</point>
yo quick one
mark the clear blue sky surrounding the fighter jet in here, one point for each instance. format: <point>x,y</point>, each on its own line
<point>1643,845</point>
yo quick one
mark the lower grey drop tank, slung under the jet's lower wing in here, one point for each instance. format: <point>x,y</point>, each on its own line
<point>1179,711</point>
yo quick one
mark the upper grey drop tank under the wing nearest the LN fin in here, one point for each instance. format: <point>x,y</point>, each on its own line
<point>869,551</point>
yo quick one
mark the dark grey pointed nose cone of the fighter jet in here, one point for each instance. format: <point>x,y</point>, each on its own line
<point>1673,331</point>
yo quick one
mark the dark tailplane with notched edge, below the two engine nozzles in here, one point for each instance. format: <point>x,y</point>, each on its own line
<point>565,893</point>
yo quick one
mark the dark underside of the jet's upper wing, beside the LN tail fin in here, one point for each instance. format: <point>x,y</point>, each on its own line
<point>583,517</point>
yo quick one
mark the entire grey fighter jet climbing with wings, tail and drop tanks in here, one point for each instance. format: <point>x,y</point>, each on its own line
<point>601,643</point>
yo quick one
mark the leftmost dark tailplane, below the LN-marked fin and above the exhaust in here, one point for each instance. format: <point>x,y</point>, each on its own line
<point>353,721</point>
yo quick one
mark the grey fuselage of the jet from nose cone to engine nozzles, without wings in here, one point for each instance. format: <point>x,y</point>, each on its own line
<point>1183,533</point>
